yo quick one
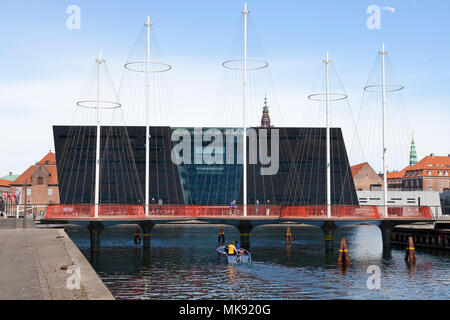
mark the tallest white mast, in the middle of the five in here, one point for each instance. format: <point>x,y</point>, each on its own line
<point>244,103</point>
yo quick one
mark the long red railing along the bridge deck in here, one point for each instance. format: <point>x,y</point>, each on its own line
<point>198,211</point>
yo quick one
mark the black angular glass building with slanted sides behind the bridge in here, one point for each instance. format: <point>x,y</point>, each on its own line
<point>300,177</point>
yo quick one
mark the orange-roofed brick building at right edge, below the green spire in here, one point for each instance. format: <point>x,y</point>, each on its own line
<point>432,173</point>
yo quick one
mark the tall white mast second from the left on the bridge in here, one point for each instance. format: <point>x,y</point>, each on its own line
<point>147,121</point>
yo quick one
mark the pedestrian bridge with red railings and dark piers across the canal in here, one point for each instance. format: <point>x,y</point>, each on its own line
<point>257,215</point>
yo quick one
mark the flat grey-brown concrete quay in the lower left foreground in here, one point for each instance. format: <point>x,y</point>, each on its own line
<point>44,264</point>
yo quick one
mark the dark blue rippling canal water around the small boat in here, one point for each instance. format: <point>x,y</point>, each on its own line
<point>182,263</point>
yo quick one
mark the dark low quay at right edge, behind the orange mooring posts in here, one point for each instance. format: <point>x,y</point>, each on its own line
<point>436,236</point>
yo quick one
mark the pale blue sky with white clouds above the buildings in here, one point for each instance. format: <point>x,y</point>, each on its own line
<point>44,65</point>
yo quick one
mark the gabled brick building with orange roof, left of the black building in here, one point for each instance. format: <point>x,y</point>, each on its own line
<point>41,183</point>
